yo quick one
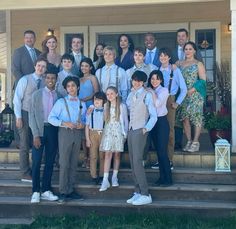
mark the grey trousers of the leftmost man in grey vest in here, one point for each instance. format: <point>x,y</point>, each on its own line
<point>25,144</point>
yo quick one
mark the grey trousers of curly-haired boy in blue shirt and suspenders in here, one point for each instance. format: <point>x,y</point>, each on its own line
<point>69,148</point>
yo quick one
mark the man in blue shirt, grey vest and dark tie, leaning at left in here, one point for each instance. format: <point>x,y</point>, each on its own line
<point>26,86</point>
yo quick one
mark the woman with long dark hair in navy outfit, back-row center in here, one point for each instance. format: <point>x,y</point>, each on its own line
<point>125,45</point>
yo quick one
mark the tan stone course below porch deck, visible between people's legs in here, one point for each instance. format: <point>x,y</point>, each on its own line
<point>202,159</point>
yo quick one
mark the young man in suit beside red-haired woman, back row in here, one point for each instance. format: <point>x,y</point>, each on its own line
<point>77,44</point>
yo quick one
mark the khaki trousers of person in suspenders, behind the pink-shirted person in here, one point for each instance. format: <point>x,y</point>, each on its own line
<point>171,120</point>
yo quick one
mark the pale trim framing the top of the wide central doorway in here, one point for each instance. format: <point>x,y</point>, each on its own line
<point>163,27</point>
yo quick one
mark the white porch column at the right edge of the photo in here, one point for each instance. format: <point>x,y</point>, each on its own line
<point>233,70</point>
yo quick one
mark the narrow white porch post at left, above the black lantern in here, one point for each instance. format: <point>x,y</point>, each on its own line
<point>9,83</point>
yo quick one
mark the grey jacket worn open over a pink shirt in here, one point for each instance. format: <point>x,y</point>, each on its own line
<point>36,113</point>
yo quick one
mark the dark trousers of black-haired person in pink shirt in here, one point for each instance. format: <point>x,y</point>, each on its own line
<point>160,136</point>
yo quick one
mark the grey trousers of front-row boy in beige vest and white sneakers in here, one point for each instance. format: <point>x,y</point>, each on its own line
<point>136,144</point>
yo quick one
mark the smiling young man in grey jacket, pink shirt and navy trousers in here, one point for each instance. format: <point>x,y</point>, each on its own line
<point>44,137</point>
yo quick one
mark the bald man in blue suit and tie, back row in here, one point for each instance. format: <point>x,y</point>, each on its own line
<point>152,52</point>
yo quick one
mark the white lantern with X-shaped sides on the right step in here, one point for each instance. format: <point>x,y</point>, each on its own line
<point>222,156</point>
